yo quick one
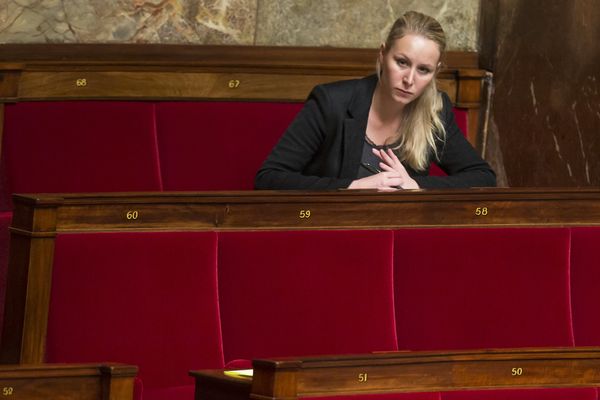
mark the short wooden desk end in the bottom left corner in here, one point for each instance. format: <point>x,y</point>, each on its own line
<point>73,381</point>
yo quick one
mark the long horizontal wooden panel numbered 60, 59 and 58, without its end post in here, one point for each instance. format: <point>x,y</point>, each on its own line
<point>344,209</point>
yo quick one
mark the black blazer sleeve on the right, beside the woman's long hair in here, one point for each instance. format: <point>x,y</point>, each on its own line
<point>465,168</point>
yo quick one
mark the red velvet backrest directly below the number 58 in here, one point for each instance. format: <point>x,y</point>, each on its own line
<point>482,288</point>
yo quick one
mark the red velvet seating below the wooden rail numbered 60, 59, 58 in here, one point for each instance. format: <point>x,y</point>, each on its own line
<point>171,302</point>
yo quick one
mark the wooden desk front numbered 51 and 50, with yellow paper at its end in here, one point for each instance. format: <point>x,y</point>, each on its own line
<point>401,372</point>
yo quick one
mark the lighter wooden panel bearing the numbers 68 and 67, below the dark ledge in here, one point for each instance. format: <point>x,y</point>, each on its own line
<point>180,86</point>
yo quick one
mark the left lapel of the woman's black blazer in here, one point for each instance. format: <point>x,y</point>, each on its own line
<point>355,125</point>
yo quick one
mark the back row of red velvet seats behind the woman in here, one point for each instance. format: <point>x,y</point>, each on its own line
<point>110,146</point>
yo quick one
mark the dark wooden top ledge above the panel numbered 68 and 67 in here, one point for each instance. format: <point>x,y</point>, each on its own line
<point>303,59</point>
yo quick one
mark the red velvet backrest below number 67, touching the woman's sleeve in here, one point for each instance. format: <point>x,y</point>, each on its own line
<point>218,145</point>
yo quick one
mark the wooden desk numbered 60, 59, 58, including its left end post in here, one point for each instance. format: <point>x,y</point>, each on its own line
<point>38,219</point>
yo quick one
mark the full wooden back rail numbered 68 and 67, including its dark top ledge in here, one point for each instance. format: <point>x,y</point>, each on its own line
<point>183,72</point>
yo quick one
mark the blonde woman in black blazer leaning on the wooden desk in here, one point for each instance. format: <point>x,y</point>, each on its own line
<point>382,131</point>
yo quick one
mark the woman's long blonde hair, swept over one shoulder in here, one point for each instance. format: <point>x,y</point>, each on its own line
<point>421,124</point>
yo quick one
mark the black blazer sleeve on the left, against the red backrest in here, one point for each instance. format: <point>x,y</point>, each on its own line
<point>302,141</point>
